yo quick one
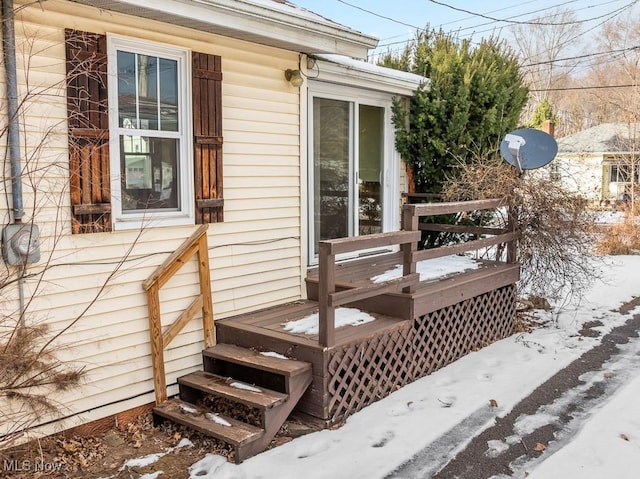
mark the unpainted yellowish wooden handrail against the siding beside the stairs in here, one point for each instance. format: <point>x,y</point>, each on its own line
<point>195,244</point>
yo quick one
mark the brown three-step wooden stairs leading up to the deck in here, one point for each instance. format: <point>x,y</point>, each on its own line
<point>270,385</point>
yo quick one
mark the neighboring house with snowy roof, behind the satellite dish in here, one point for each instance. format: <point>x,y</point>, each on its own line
<point>600,162</point>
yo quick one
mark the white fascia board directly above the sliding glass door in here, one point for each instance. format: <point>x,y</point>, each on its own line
<point>365,75</point>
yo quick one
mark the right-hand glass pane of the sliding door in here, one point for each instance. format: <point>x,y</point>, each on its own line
<point>370,168</point>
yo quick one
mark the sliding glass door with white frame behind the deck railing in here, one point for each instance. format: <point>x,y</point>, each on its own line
<point>350,153</point>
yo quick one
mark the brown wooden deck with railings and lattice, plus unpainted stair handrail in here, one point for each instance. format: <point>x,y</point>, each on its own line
<point>419,326</point>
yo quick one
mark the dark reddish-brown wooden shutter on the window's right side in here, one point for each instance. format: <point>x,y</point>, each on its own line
<point>207,131</point>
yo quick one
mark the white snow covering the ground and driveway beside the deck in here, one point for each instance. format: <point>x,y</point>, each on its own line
<point>600,442</point>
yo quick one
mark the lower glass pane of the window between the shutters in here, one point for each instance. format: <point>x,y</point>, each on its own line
<point>149,172</point>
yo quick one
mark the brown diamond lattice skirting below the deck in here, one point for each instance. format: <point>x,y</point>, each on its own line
<point>360,374</point>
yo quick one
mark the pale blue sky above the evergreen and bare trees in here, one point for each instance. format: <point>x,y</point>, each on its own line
<point>403,17</point>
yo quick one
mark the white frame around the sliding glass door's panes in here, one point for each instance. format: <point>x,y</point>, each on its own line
<point>391,174</point>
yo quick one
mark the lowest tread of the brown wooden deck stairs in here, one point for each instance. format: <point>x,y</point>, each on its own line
<point>226,429</point>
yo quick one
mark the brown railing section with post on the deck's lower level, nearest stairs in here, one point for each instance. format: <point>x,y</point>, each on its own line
<point>328,298</point>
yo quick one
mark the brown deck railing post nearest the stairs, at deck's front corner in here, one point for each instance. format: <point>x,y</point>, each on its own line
<point>326,286</point>
